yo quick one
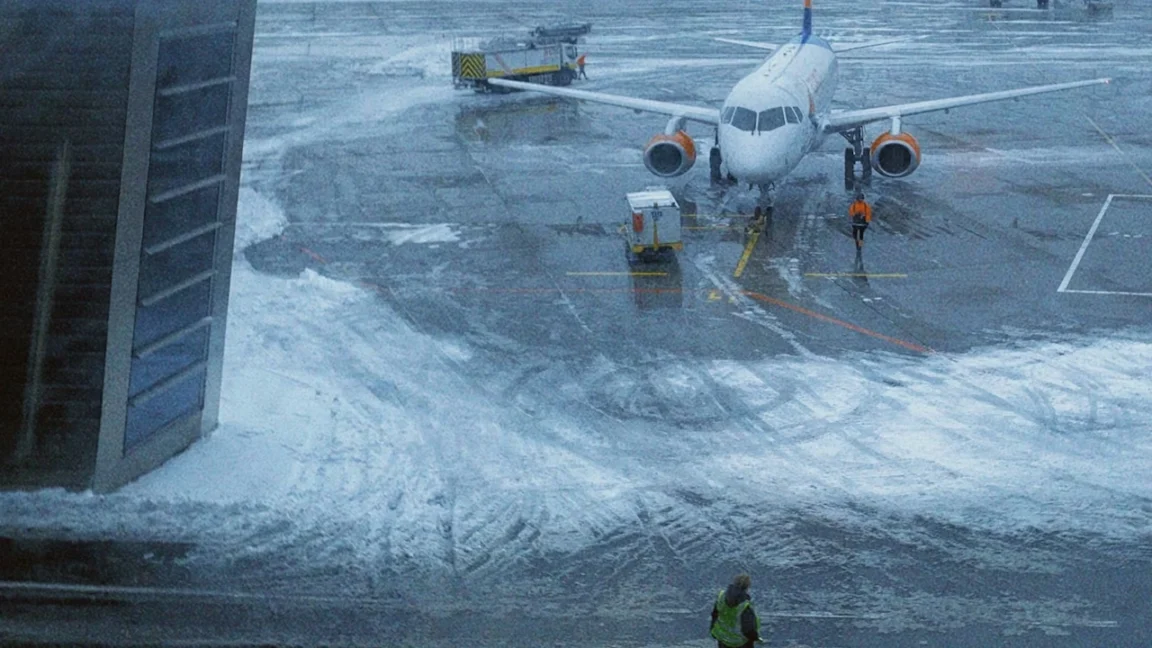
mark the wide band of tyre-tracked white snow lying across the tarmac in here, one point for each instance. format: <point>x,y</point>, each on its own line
<point>348,438</point>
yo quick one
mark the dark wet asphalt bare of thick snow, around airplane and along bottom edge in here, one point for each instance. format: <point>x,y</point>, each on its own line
<point>969,253</point>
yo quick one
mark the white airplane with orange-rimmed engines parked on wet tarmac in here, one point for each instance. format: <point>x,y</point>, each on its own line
<point>782,112</point>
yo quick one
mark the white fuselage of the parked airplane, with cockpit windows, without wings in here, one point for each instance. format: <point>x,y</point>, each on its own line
<point>771,119</point>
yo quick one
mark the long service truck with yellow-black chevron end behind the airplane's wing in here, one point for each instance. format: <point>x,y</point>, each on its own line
<point>547,56</point>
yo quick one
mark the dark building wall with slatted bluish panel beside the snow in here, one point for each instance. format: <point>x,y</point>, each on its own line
<point>122,124</point>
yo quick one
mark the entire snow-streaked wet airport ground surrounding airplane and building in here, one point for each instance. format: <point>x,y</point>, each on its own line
<point>382,439</point>
